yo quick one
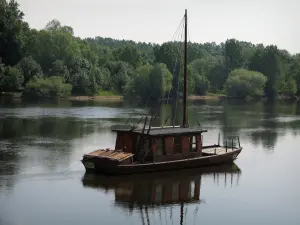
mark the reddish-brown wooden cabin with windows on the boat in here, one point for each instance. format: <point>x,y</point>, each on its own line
<point>160,144</point>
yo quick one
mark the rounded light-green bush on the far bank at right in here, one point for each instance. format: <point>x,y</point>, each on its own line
<point>242,83</point>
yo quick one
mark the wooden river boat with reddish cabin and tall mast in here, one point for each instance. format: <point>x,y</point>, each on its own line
<point>139,150</point>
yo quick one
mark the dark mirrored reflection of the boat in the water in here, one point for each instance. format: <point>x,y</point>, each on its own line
<point>143,191</point>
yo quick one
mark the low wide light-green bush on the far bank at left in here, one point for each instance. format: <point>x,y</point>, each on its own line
<point>48,87</point>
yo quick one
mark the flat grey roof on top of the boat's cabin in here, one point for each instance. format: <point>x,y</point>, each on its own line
<point>171,131</point>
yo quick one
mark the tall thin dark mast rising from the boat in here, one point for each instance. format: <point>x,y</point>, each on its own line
<point>185,123</point>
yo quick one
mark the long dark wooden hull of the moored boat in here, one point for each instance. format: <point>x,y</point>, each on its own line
<point>94,167</point>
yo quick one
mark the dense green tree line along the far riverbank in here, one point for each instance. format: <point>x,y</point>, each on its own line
<point>53,62</point>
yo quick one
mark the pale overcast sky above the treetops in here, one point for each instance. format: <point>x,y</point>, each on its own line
<point>257,21</point>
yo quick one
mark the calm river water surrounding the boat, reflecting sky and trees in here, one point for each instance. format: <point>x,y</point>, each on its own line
<point>42,180</point>
